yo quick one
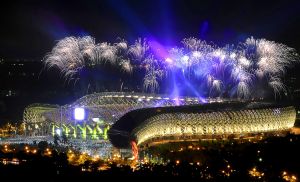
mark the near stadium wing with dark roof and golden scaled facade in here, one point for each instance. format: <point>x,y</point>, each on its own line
<point>208,121</point>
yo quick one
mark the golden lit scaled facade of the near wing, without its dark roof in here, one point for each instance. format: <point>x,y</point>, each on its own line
<point>214,123</point>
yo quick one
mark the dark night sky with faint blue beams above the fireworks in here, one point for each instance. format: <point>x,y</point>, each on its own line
<point>29,29</point>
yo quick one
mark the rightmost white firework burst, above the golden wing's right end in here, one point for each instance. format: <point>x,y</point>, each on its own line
<point>270,60</point>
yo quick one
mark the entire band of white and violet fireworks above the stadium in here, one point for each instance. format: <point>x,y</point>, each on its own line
<point>232,70</point>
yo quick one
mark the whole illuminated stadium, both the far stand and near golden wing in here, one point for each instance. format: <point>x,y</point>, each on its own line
<point>152,119</point>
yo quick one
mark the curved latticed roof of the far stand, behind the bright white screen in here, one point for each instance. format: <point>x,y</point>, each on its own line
<point>111,106</point>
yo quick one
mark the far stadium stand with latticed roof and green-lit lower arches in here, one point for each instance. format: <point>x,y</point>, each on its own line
<point>101,111</point>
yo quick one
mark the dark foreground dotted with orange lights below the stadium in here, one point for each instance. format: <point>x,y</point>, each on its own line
<point>272,159</point>
